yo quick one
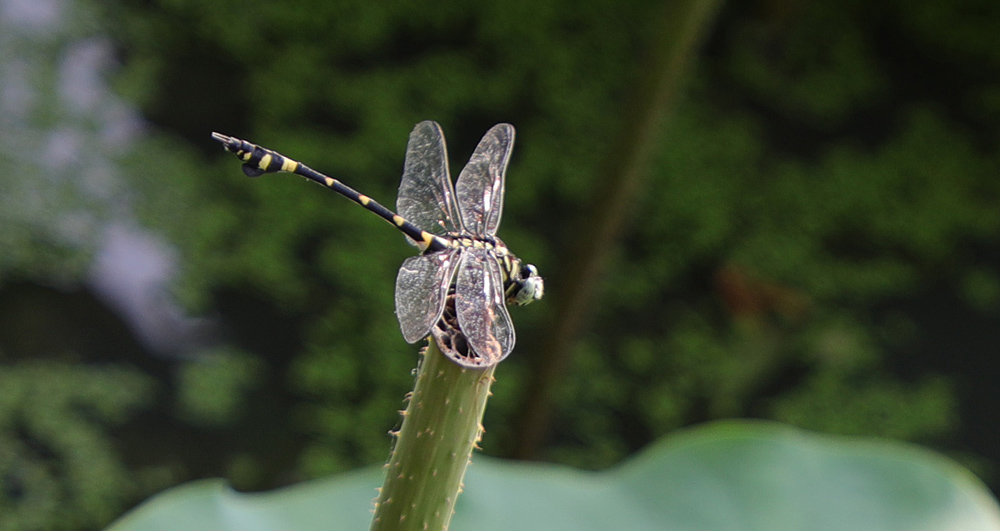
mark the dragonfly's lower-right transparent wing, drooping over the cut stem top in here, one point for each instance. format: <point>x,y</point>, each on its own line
<point>479,302</point>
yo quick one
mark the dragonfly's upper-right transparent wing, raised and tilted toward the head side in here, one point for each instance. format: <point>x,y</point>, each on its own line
<point>480,186</point>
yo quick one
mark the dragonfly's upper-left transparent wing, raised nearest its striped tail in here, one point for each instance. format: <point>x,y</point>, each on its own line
<point>426,197</point>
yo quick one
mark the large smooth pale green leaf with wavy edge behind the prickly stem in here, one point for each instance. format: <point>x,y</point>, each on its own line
<point>732,475</point>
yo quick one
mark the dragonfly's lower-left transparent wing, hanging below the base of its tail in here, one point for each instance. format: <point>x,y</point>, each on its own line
<point>421,287</point>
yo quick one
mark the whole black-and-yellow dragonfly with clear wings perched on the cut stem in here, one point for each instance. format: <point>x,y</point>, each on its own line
<point>457,288</point>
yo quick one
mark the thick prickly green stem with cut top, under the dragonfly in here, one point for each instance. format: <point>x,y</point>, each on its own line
<point>441,426</point>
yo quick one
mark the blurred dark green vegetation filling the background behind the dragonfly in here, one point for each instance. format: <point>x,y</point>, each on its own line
<point>815,240</point>
